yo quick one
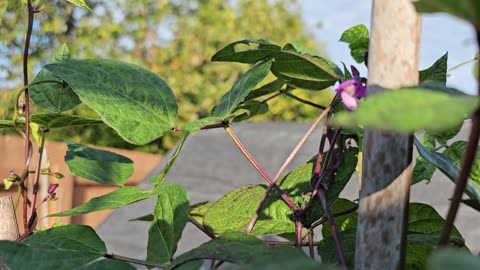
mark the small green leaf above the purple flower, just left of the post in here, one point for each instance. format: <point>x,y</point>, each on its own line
<point>357,38</point>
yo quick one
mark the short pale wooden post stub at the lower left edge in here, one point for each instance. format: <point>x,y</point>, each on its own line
<point>8,223</point>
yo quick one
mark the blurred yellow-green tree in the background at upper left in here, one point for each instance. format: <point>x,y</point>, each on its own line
<point>174,39</point>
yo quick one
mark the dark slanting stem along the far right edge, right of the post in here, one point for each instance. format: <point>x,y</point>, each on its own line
<point>462,179</point>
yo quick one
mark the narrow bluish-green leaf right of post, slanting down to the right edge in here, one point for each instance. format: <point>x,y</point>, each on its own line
<point>447,166</point>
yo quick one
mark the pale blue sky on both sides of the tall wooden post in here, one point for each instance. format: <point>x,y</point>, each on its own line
<point>440,33</point>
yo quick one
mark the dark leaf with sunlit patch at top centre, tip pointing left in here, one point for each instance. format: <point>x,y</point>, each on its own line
<point>246,51</point>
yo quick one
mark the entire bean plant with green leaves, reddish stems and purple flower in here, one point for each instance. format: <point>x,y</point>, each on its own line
<point>293,205</point>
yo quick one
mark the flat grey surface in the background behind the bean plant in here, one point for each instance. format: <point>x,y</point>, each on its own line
<point>210,166</point>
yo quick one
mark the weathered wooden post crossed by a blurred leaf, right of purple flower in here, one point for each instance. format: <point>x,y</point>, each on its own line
<point>387,169</point>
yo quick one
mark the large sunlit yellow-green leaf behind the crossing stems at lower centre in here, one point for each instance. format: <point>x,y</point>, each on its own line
<point>276,217</point>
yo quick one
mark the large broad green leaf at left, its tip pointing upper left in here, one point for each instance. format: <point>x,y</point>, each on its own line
<point>133,101</point>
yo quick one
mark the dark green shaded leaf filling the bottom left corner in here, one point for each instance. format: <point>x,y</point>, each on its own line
<point>64,247</point>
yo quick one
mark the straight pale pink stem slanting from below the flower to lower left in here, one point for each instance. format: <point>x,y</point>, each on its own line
<point>294,152</point>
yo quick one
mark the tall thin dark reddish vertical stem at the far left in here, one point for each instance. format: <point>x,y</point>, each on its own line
<point>27,110</point>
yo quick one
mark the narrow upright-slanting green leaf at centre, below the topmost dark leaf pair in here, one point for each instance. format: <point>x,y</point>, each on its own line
<point>241,88</point>
